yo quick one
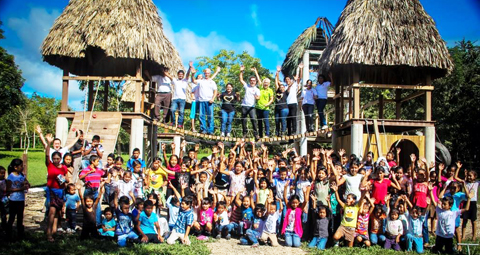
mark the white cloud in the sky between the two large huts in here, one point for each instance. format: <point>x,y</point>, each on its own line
<point>190,45</point>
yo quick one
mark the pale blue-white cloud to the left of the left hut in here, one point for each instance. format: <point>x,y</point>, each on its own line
<point>40,77</point>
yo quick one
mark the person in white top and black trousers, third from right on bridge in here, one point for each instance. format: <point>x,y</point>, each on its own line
<point>292,102</point>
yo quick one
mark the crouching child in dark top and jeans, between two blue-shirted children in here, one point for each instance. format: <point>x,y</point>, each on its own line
<point>125,227</point>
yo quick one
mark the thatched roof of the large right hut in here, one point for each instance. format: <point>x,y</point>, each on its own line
<point>386,33</point>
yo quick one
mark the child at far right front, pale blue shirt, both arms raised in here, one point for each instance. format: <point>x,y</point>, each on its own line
<point>446,222</point>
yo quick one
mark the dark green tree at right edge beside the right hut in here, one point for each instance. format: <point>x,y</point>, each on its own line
<point>455,104</point>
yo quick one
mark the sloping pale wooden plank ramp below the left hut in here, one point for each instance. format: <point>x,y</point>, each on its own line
<point>104,124</point>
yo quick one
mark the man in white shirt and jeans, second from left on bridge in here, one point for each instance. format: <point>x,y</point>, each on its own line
<point>179,95</point>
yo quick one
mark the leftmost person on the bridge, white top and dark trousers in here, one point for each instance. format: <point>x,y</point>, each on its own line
<point>163,95</point>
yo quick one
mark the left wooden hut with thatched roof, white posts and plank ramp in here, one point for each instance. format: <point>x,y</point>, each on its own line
<point>108,41</point>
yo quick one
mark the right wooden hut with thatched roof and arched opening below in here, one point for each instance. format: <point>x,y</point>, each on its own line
<point>384,44</point>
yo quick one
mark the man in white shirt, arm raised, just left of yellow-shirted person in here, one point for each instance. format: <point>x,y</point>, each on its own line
<point>252,94</point>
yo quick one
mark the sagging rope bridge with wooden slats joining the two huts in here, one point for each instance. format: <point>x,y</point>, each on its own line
<point>181,131</point>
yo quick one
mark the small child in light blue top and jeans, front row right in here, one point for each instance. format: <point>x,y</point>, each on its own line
<point>416,218</point>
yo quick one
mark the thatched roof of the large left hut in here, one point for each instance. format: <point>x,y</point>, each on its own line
<point>109,38</point>
